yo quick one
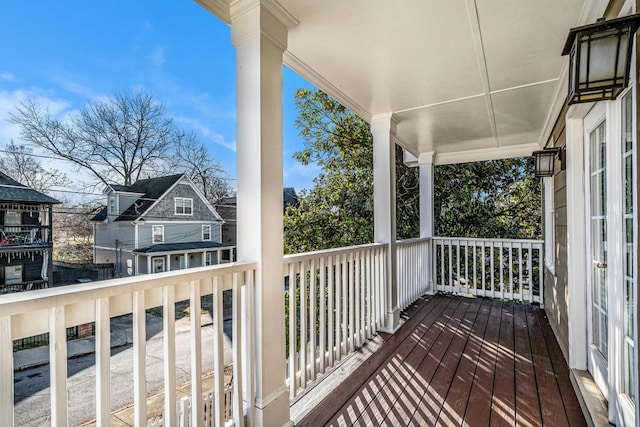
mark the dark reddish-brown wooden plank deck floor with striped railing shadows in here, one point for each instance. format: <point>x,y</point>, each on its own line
<point>459,361</point>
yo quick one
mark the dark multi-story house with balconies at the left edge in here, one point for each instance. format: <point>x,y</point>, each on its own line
<point>25,237</point>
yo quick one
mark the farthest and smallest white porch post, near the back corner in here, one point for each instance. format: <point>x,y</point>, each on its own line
<point>425,162</point>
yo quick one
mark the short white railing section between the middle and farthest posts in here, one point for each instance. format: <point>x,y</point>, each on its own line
<point>413,270</point>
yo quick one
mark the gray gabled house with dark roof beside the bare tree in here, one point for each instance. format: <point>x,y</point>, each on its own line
<point>158,224</point>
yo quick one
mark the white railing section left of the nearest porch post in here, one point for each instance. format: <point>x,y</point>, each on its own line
<point>53,310</point>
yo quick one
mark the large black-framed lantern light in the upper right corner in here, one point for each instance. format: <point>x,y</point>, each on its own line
<point>600,57</point>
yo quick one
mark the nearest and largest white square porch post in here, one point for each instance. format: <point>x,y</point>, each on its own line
<point>259,33</point>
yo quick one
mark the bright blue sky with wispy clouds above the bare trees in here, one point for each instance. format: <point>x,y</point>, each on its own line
<point>66,53</point>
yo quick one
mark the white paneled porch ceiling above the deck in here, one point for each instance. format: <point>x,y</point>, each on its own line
<point>467,79</point>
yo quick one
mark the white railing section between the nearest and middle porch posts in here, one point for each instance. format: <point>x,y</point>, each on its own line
<point>335,301</point>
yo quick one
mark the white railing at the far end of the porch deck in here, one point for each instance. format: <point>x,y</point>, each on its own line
<point>496,268</point>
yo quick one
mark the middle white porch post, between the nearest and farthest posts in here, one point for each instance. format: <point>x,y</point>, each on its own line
<point>383,128</point>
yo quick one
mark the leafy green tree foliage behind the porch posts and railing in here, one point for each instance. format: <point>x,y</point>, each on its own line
<point>498,198</point>
